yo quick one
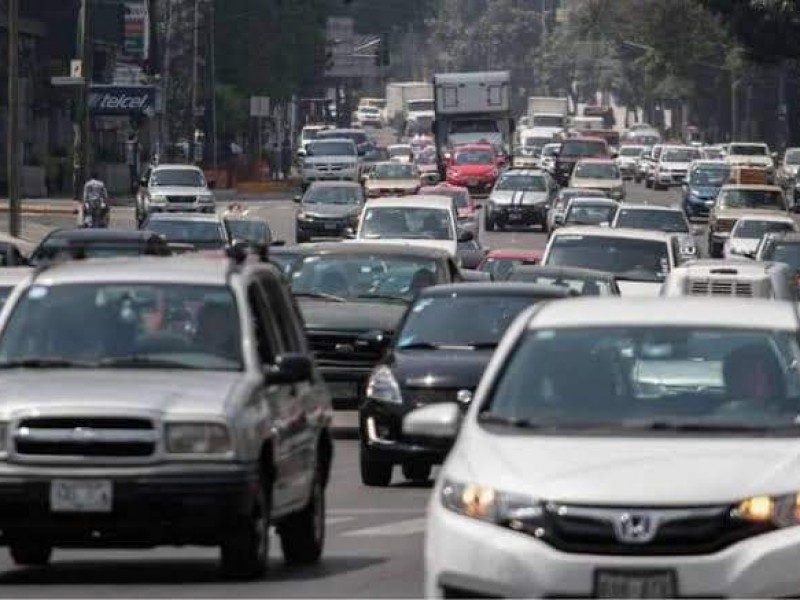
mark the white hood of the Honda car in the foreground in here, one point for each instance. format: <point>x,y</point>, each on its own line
<point>632,471</point>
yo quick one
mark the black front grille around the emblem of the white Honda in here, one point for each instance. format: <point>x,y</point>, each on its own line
<point>693,531</point>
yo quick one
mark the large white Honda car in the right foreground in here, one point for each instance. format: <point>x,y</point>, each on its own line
<point>623,448</point>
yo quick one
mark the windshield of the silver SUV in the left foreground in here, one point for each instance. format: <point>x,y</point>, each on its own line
<point>138,325</point>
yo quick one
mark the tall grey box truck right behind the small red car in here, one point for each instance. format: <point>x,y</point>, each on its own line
<point>472,107</point>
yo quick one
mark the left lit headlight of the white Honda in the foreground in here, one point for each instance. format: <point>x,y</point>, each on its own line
<point>485,503</point>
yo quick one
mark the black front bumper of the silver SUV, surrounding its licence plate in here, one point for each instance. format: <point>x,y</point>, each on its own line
<point>151,506</point>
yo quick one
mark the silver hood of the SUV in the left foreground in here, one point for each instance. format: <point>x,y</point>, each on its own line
<point>152,391</point>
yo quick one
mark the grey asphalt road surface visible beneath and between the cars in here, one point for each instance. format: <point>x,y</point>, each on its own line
<point>375,536</point>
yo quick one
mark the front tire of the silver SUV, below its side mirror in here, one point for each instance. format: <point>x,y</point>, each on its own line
<point>245,550</point>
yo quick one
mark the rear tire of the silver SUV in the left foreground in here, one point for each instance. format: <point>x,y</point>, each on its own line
<point>303,533</point>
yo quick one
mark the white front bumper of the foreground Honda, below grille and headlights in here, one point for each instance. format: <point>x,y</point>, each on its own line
<point>477,559</point>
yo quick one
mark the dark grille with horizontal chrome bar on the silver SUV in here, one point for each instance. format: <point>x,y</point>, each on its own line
<point>85,437</point>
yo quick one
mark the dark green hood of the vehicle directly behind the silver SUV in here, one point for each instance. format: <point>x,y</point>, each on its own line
<point>350,316</point>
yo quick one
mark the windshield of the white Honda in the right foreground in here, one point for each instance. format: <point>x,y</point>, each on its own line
<point>646,378</point>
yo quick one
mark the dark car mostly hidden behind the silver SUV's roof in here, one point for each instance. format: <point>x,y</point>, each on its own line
<point>72,244</point>
